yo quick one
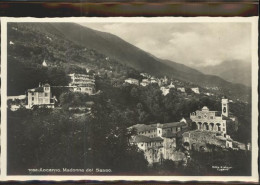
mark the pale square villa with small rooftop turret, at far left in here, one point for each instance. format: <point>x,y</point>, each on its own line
<point>40,96</point>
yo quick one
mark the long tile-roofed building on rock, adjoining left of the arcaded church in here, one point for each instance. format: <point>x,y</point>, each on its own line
<point>158,141</point>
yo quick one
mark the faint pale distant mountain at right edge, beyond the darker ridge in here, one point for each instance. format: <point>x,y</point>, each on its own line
<point>231,71</point>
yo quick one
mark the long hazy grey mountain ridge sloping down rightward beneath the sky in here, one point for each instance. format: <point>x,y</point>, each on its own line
<point>129,55</point>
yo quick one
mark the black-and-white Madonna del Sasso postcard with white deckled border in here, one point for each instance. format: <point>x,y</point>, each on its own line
<point>129,99</point>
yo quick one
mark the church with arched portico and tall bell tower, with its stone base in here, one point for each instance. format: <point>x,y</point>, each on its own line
<point>211,130</point>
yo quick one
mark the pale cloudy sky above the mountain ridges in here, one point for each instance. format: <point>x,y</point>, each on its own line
<point>192,44</point>
